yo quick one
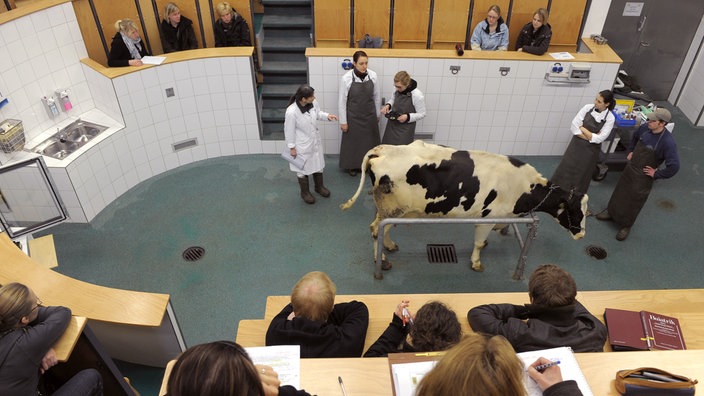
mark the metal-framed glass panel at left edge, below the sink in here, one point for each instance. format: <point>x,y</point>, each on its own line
<point>28,200</point>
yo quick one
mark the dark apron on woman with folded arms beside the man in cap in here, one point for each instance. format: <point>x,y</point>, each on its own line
<point>577,165</point>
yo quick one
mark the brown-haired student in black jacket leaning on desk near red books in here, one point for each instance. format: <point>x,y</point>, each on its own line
<point>553,318</point>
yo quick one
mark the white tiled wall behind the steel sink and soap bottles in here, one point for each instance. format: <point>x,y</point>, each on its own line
<point>40,53</point>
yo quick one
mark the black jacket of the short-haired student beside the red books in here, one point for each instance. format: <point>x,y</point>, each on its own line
<point>530,327</point>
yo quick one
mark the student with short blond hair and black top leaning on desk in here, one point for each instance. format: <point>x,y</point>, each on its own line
<point>321,327</point>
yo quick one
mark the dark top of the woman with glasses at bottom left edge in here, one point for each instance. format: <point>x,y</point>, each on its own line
<point>25,348</point>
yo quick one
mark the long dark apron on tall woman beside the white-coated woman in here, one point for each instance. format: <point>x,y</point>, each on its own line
<point>363,126</point>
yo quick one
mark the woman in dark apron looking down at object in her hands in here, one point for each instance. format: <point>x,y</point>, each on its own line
<point>405,107</point>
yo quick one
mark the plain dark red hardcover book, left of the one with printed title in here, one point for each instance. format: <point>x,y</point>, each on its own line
<point>625,330</point>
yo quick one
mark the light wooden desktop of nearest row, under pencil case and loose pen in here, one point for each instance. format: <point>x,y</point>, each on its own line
<point>370,376</point>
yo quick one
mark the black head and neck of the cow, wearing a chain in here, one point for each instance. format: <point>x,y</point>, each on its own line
<point>568,208</point>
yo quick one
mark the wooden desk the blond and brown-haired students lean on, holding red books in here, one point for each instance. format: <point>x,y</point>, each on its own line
<point>684,304</point>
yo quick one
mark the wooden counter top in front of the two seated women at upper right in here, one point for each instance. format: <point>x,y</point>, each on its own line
<point>599,54</point>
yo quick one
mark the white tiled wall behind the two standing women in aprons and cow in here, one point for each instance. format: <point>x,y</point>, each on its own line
<point>477,108</point>
